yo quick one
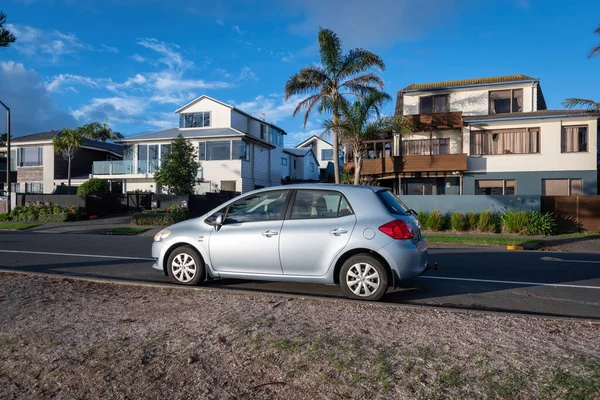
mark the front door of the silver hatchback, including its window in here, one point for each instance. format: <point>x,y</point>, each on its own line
<point>248,240</point>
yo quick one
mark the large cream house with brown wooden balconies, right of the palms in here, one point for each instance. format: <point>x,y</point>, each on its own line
<point>487,136</point>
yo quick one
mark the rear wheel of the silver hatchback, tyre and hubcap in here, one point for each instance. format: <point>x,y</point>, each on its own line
<point>363,277</point>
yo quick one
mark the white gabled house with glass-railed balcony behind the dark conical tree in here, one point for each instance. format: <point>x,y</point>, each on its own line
<point>237,151</point>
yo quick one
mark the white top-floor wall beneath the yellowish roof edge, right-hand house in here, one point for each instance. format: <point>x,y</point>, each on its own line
<point>471,101</point>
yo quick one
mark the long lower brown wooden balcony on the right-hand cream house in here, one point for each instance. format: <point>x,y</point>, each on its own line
<point>429,163</point>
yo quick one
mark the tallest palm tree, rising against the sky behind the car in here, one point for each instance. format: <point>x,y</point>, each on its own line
<point>328,84</point>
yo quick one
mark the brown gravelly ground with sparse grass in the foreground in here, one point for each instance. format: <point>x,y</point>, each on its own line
<point>68,339</point>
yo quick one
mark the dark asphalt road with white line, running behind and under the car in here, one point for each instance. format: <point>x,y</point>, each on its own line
<point>554,284</point>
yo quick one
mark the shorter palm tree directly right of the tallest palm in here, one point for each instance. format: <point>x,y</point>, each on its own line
<point>362,121</point>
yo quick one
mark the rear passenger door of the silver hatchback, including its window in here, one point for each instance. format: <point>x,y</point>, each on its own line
<point>319,227</point>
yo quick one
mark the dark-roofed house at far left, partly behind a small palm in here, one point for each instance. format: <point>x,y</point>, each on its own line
<point>38,168</point>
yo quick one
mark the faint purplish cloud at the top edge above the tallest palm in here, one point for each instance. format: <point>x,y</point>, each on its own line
<point>396,21</point>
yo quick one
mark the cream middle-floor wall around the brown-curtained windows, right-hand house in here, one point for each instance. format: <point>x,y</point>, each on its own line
<point>550,157</point>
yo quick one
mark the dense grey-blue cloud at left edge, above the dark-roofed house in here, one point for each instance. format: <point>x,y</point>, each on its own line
<point>33,109</point>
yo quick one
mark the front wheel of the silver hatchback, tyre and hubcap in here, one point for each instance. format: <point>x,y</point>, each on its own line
<point>185,266</point>
